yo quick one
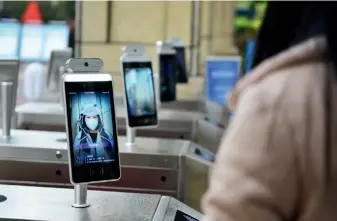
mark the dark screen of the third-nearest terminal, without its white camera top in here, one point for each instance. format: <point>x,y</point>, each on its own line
<point>167,77</point>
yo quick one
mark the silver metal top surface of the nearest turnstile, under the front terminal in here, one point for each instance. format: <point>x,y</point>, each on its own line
<point>39,203</point>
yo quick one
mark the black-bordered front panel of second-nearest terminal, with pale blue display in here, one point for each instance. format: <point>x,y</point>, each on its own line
<point>140,93</point>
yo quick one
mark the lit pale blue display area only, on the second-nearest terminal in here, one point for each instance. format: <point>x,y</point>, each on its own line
<point>140,91</point>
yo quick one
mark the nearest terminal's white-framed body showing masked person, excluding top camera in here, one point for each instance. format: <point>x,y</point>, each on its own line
<point>91,127</point>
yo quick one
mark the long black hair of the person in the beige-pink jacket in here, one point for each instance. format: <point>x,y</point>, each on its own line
<point>287,23</point>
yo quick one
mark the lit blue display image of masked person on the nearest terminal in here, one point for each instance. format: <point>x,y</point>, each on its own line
<point>92,127</point>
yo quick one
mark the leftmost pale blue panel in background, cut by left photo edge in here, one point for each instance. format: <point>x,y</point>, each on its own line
<point>9,40</point>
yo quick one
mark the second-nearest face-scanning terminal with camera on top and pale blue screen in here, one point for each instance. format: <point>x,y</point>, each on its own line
<point>139,88</point>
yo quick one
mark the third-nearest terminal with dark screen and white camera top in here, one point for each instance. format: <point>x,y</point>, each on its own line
<point>167,71</point>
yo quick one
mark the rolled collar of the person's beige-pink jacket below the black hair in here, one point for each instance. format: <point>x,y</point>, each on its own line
<point>311,49</point>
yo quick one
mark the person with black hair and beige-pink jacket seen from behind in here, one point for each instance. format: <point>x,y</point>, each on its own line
<point>278,159</point>
